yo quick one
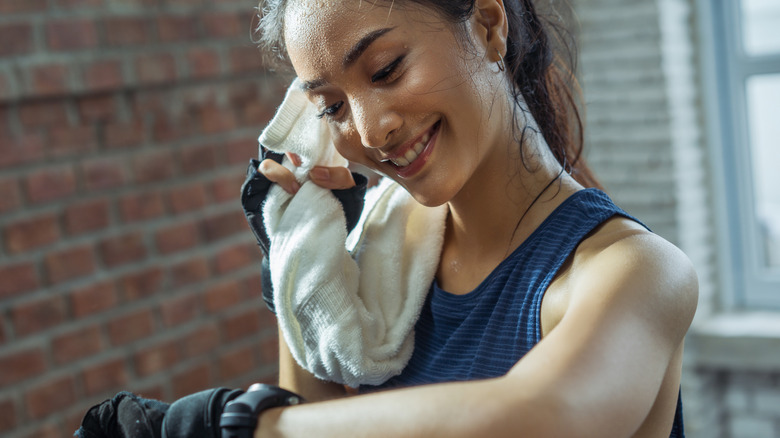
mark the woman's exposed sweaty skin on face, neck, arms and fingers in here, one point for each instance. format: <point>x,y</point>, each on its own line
<point>613,319</point>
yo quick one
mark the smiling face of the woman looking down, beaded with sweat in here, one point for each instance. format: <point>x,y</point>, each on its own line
<point>402,92</point>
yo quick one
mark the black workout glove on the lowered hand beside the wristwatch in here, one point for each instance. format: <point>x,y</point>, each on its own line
<point>129,416</point>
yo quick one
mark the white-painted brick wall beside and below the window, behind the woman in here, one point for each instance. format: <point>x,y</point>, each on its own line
<point>644,123</point>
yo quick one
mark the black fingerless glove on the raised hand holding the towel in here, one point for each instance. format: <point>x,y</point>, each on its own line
<point>253,194</point>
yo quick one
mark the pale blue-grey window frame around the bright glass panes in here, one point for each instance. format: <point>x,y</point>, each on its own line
<point>726,67</point>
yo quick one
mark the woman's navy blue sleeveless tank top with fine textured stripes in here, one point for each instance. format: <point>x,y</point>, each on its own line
<point>483,333</point>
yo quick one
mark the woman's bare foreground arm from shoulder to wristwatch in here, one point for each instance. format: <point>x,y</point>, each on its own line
<point>596,374</point>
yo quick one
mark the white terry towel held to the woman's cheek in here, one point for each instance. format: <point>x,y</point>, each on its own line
<point>346,312</point>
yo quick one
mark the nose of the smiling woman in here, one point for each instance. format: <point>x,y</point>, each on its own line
<point>375,122</point>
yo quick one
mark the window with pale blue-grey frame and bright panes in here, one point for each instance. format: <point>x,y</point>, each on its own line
<point>745,63</point>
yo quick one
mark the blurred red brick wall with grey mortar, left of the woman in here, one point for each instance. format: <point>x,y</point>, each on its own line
<point>125,260</point>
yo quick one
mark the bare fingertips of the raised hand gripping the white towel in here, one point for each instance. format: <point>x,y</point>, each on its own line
<point>333,178</point>
